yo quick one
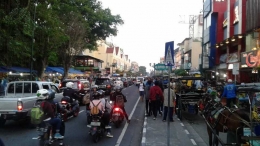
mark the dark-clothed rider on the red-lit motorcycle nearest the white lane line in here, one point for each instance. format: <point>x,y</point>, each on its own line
<point>113,98</point>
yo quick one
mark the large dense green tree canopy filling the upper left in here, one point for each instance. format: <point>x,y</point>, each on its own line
<point>62,29</point>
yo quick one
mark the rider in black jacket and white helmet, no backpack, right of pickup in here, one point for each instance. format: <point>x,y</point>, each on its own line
<point>72,94</point>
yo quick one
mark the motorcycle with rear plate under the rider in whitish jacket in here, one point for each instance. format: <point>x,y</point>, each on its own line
<point>97,130</point>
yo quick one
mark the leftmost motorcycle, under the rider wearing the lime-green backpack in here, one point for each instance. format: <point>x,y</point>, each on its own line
<point>46,133</point>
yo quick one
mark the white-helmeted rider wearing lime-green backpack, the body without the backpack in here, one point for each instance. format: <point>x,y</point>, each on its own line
<point>43,95</point>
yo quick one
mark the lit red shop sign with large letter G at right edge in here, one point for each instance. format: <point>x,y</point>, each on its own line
<point>250,59</point>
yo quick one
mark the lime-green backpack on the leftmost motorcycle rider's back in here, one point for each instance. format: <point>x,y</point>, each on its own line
<point>37,113</point>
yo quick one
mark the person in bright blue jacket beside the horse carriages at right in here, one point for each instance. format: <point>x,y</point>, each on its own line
<point>230,94</point>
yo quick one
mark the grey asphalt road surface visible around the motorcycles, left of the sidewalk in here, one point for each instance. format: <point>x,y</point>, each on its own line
<point>19,133</point>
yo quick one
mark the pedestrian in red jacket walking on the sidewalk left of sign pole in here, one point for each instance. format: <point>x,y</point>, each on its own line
<point>155,98</point>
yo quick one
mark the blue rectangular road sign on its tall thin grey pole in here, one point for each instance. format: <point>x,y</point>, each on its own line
<point>169,61</point>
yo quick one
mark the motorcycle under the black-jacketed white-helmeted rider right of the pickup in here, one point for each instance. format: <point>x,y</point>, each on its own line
<point>67,108</point>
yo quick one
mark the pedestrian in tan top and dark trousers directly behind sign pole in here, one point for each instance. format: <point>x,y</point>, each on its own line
<point>165,103</point>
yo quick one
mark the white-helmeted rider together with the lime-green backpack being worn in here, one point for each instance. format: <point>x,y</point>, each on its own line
<point>48,109</point>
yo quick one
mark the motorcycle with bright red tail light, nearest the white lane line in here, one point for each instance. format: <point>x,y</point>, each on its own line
<point>117,116</point>
